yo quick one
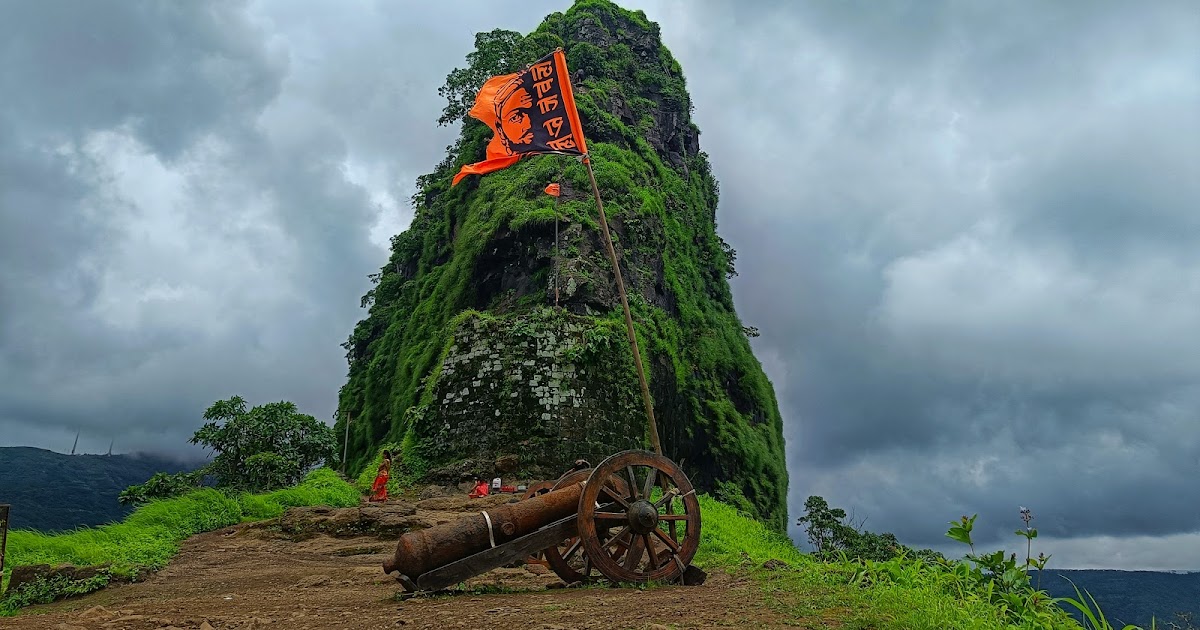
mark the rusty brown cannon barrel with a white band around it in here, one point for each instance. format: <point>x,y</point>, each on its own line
<point>422,551</point>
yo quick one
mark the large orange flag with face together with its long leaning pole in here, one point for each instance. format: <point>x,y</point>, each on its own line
<point>533,112</point>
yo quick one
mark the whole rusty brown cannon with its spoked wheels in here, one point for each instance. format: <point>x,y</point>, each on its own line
<point>632,519</point>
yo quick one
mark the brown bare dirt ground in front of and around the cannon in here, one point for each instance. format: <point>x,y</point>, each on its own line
<point>255,578</point>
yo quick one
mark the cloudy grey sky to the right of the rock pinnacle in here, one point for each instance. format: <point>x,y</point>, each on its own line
<point>968,236</point>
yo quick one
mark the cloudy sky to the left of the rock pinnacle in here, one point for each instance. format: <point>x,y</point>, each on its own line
<point>193,200</point>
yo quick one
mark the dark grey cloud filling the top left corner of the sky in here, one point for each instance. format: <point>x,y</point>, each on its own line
<point>172,70</point>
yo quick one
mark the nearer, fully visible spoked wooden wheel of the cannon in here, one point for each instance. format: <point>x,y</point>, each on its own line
<point>657,523</point>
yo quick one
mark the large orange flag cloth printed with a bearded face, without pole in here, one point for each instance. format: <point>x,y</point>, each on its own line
<point>531,112</point>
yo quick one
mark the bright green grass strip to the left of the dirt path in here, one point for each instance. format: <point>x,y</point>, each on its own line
<point>151,537</point>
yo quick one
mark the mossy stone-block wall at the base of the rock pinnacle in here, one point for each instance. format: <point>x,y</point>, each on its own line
<point>548,389</point>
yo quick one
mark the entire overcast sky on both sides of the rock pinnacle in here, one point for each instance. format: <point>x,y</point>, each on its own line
<point>969,233</point>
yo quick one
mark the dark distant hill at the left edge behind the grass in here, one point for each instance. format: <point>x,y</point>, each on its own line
<point>52,491</point>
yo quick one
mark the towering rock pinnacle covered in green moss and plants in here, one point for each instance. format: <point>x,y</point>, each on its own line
<point>464,358</point>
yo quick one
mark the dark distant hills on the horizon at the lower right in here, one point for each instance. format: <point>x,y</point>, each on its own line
<point>1130,597</point>
